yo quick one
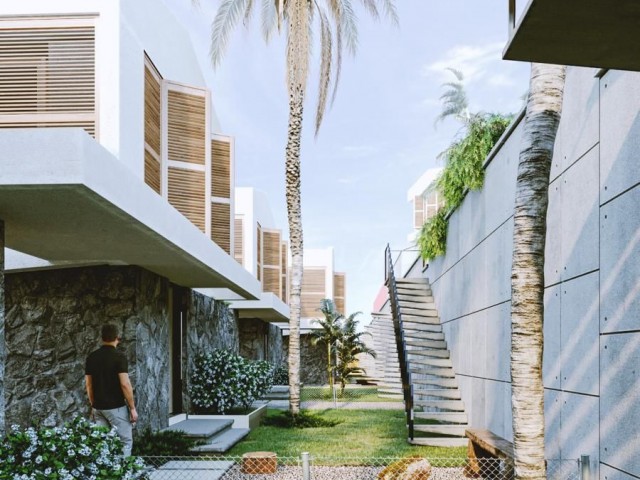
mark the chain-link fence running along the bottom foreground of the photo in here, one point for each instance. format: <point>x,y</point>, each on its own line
<point>268,466</point>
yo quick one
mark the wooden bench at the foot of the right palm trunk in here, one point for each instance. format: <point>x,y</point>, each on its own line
<point>483,445</point>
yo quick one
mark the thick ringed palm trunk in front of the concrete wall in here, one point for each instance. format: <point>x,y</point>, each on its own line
<point>527,275</point>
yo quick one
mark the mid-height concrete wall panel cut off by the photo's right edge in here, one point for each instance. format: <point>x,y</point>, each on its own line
<point>620,263</point>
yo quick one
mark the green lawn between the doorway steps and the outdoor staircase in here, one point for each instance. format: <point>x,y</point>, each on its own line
<point>362,434</point>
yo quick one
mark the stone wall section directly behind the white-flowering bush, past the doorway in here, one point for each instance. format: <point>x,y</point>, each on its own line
<point>211,325</point>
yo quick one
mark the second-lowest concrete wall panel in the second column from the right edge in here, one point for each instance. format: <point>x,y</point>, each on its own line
<point>580,365</point>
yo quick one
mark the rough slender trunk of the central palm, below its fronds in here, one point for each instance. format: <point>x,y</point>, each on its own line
<point>294,215</point>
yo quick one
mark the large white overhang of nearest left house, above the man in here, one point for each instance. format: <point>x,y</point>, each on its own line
<point>65,199</point>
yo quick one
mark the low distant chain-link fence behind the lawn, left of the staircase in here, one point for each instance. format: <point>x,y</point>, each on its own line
<point>351,396</point>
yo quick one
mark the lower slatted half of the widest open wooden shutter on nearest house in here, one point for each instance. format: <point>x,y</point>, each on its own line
<point>187,194</point>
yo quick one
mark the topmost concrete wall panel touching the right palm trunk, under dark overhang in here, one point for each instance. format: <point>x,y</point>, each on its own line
<point>581,104</point>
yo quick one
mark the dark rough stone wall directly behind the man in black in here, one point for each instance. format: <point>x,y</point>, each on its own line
<point>53,322</point>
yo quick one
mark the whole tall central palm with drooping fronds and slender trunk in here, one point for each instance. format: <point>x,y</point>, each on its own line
<point>337,22</point>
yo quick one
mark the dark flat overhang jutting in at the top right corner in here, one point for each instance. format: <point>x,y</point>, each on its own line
<point>590,33</point>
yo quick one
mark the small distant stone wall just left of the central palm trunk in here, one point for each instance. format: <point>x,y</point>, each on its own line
<point>260,340</point>
